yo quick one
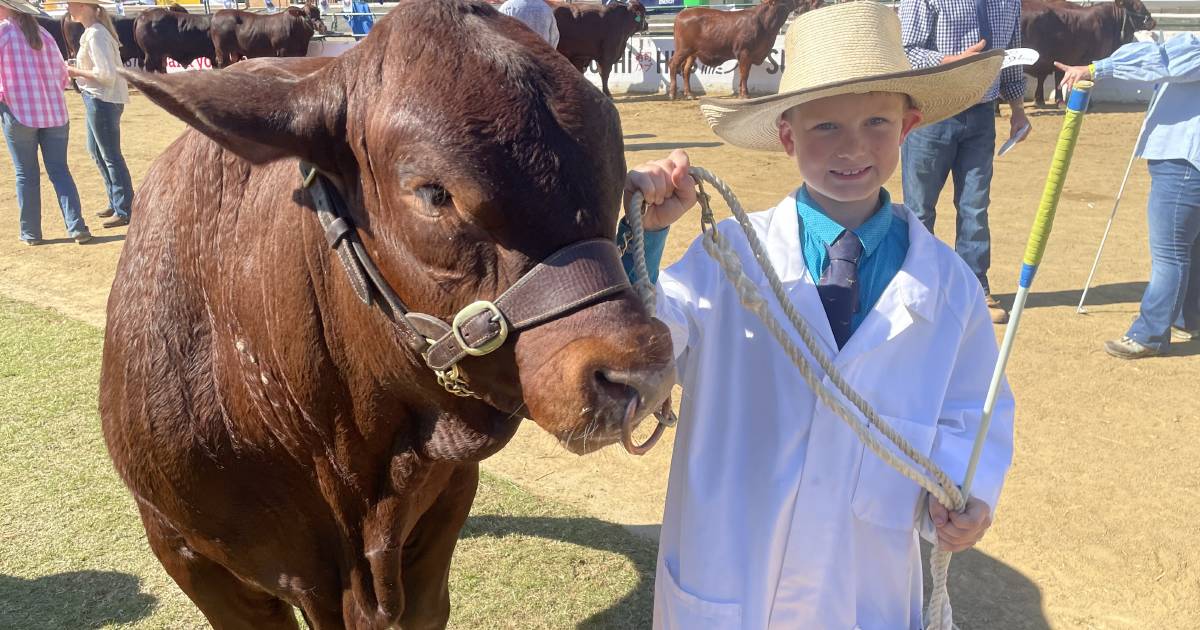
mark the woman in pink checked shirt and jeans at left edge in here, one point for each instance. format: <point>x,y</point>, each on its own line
<point>34,113</point>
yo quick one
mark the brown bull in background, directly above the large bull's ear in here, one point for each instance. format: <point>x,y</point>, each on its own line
<point>241,34</point>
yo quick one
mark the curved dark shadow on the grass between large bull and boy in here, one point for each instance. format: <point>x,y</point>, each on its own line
<point>634,610</point>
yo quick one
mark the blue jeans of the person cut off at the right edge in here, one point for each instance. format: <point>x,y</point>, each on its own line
<point>1173,297</point>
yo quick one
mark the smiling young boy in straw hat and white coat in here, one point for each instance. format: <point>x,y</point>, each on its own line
<point>776,514</point>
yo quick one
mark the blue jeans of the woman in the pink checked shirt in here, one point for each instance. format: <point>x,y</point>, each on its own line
<point>23,143</point>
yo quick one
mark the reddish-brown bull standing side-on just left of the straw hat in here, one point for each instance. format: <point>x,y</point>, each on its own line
<point>717,37</point>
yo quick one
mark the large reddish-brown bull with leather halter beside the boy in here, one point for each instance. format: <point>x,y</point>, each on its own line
<point>291,446</point>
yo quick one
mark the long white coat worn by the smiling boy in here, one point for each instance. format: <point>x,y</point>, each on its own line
<point>776,517</point>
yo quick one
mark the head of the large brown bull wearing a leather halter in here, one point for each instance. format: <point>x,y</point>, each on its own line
<point>469,152</point>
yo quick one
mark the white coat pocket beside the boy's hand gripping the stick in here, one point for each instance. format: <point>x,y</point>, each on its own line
<point>883,496</point>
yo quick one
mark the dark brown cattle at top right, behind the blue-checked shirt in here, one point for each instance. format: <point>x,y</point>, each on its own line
<point>1077,35</point>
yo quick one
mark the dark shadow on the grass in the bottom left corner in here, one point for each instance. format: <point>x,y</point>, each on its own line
<point>79,601</point>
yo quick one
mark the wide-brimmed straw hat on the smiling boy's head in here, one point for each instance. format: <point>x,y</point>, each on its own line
<point>850,49</point>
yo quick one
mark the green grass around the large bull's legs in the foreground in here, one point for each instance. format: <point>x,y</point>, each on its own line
<point>74,555</point>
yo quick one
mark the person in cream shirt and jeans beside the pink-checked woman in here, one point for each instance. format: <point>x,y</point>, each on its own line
<point>105,94</point>
